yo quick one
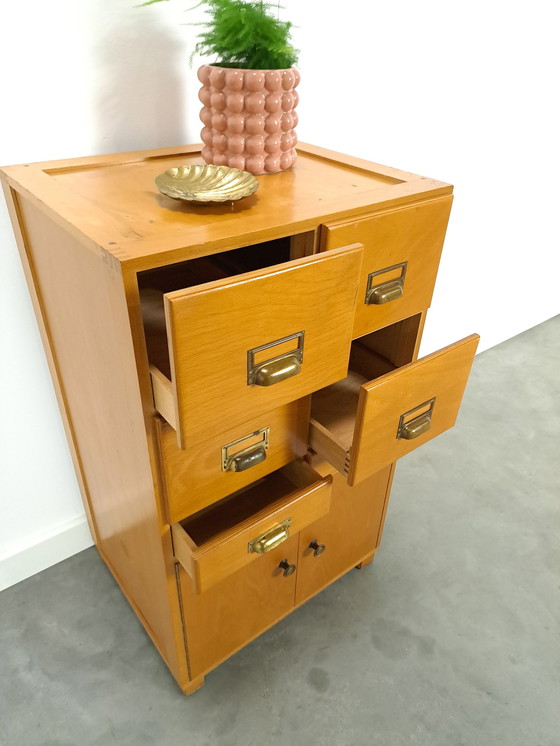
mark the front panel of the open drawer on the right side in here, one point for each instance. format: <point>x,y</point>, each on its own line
<point>401,410</point>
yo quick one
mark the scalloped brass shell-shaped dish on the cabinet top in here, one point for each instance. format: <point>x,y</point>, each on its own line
<point>206,183</point>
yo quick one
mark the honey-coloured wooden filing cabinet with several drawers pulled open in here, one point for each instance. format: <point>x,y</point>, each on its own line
<point>236,381</point>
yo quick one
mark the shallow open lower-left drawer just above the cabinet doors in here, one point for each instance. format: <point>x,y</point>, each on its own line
<point>213,545</point>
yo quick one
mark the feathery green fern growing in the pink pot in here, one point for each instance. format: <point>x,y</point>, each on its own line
<point>245,34</point>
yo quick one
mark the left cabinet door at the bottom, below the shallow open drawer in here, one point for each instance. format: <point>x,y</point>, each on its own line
<point>231,613</point>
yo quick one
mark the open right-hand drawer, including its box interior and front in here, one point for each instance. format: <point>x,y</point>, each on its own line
<point>379,413</point>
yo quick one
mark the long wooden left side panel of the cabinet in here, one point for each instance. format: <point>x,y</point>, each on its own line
<point>82,302</point>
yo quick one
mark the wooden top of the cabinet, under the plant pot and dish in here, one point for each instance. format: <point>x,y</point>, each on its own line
<point>111,204</point>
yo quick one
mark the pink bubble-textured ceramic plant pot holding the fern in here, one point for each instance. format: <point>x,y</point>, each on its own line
<point>249,118</point>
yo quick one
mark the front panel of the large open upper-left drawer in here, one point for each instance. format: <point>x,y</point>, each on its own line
<point>254,342</point>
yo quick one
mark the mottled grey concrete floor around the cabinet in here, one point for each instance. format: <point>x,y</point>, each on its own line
<point>451,636</point>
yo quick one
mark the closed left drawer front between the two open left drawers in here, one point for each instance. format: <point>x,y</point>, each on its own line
<point>205,473</point>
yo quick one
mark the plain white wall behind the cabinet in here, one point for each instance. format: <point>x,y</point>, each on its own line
<point>465,93</point>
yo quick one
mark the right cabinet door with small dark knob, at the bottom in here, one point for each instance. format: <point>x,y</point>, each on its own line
<point>349,533</point>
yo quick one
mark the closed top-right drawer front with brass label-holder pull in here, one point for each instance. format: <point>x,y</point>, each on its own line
<point>402,249</point>
